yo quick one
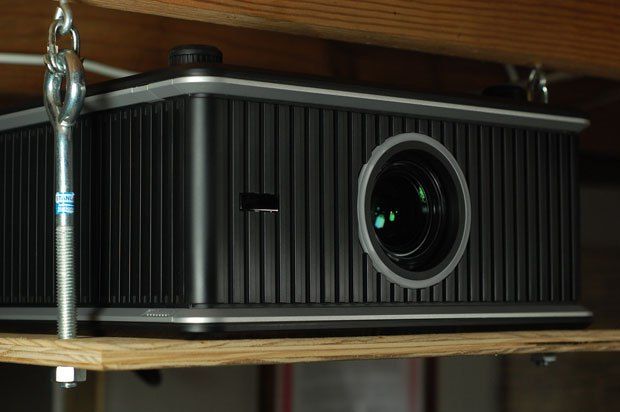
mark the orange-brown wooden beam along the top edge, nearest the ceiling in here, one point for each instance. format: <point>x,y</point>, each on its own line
<point>581,36</point>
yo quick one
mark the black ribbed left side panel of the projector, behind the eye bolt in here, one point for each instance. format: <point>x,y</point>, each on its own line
<point>129,184</point>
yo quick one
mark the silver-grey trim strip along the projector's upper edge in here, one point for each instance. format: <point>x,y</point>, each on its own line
<point>305,95</point>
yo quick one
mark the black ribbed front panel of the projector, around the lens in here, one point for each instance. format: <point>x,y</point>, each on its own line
<point>523,244</point>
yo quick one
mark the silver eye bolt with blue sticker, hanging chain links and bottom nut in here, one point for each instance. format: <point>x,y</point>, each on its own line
<point>64,65</point>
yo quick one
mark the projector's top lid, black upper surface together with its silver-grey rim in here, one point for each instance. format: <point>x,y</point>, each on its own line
<point>226,80</point>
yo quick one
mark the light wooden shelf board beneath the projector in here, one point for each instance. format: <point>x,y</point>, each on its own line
<point>103,354</point>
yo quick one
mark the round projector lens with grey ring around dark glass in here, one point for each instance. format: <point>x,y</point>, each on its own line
<point>413,210</point>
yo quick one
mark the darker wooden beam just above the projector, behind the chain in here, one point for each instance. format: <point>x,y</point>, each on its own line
<point>140,42</point>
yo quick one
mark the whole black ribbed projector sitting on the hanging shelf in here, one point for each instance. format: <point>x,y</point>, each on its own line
<point>216,199</point>
